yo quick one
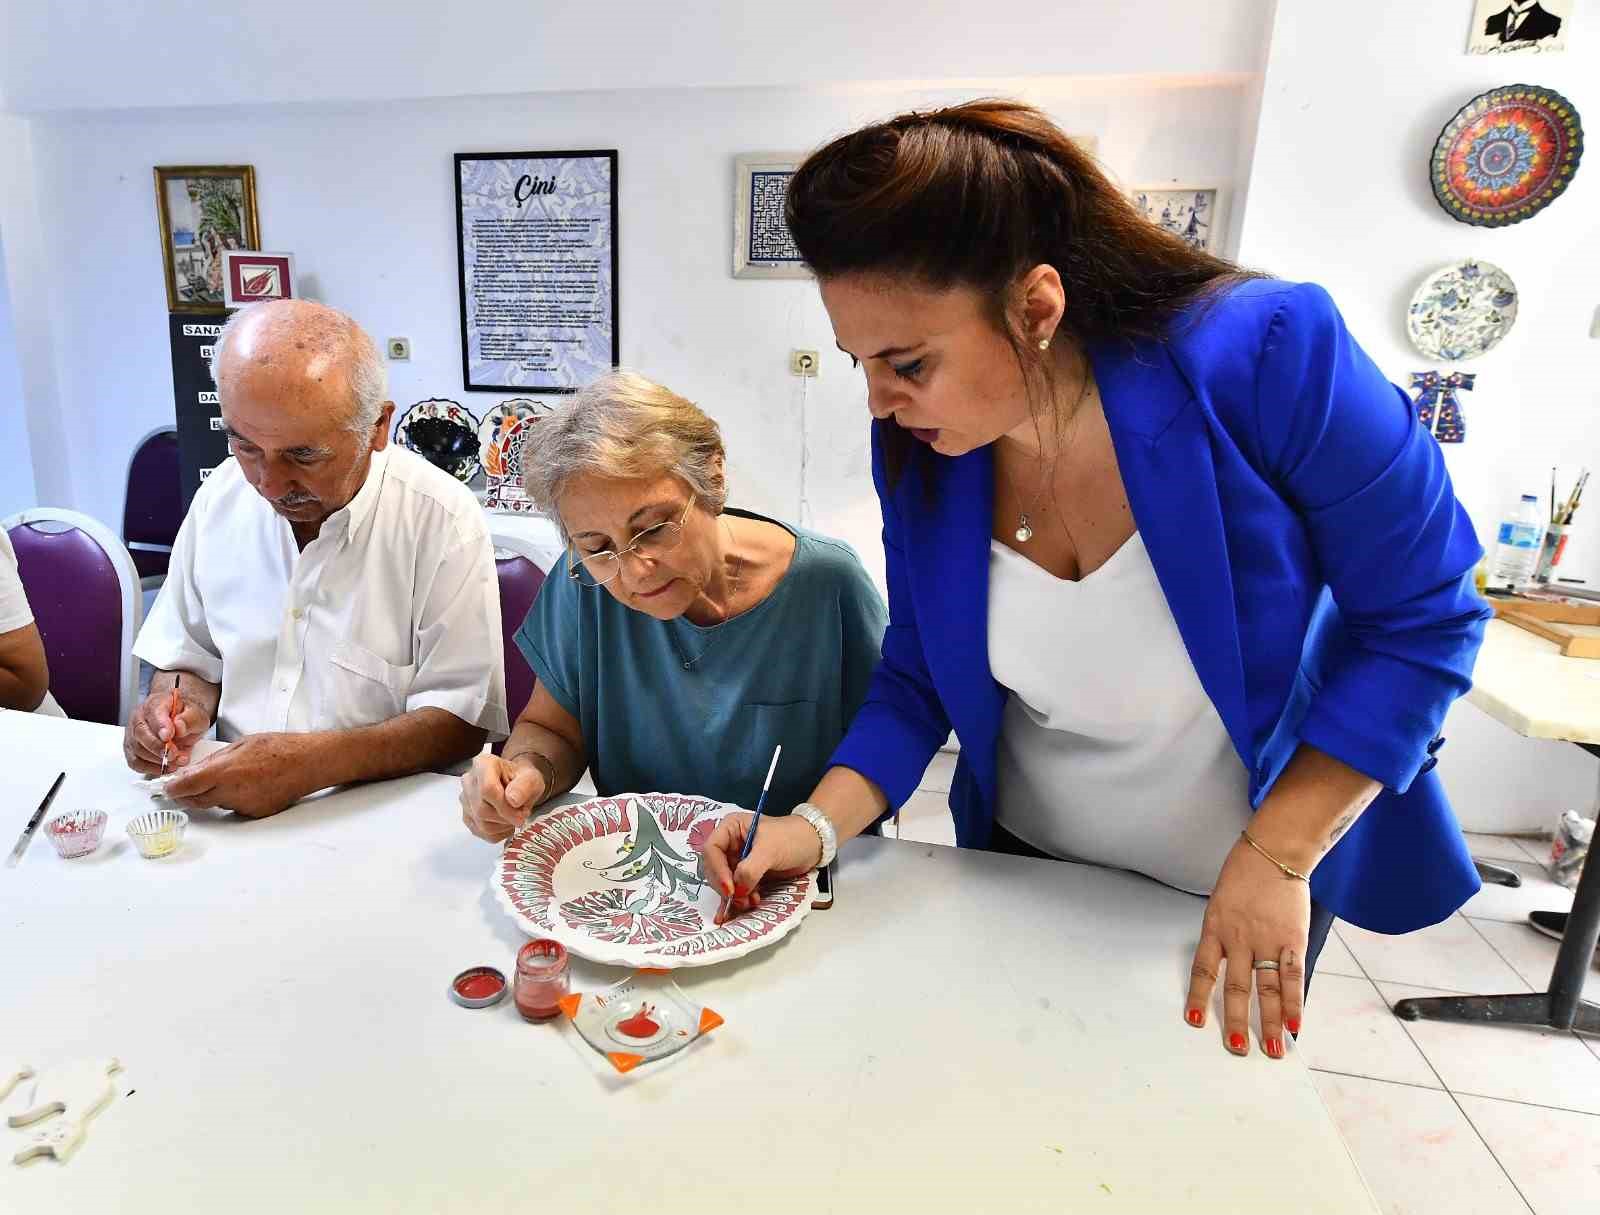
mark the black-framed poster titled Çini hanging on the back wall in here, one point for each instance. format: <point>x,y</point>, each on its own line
<point>537,252</point>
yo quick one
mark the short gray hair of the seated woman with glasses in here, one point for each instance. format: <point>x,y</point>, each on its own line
<point>625,425</point>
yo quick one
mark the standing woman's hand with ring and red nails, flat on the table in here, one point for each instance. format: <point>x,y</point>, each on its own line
<point>1255,915</point>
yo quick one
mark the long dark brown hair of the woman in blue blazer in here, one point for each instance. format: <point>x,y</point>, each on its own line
<point>977,194</point>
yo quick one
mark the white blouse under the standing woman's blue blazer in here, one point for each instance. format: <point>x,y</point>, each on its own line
<point>1110,748</point>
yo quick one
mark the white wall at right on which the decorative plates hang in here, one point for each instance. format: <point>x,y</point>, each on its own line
<point>1340,194</point>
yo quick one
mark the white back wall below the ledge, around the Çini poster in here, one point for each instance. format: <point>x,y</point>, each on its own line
<point>362,196</point>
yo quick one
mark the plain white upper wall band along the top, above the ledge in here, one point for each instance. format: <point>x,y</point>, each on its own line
<point>94,55</point>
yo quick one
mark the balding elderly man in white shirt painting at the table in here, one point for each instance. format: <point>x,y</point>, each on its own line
<point>332,603</point>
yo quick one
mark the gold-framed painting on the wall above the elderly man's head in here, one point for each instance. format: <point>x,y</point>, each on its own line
<point>204,211</point>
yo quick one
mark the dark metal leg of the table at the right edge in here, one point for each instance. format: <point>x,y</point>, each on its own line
<point>1561,1008</point>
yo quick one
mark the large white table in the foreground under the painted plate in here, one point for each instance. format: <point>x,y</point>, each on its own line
<point>962,1032</point>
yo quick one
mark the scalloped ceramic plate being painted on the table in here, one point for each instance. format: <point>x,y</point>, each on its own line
<point>620,881</point>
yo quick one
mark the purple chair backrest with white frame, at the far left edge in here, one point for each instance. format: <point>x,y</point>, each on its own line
<point>86,595</point>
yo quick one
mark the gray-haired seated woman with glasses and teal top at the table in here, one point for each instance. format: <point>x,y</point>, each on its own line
<point>679,641</point>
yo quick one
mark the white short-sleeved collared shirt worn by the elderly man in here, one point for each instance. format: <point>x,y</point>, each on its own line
<point>393,607</point>
